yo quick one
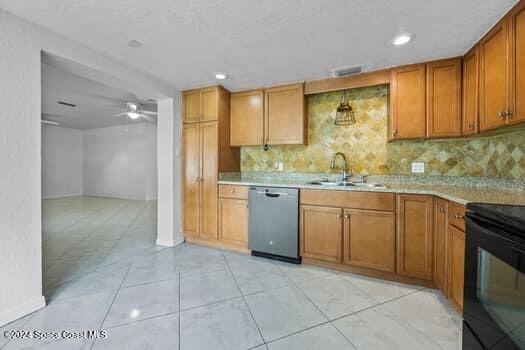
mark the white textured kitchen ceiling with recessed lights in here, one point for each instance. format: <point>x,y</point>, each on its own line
<point>264,42</point>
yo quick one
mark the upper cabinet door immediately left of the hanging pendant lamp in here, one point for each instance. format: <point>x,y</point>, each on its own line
<point>285,115</point>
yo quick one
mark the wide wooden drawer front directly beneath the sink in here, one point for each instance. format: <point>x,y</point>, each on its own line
<point>347,199</point>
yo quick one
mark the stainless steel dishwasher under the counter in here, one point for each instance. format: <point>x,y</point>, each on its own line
<point>273,228</point>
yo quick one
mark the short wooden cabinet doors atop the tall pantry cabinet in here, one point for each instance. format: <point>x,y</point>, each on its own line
<point>200,105</point>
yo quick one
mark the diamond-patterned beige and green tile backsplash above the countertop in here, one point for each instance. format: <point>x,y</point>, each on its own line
<point>366,148</point>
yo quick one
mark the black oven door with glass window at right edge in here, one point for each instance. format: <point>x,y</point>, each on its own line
<point>494,303</point>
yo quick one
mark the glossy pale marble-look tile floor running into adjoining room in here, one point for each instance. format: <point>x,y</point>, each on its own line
<point>104,272</point>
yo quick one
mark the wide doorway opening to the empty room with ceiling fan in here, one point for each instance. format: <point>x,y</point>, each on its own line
<point>99,182</point>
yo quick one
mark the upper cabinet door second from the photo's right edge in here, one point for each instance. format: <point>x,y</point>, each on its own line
<point>494,73</point>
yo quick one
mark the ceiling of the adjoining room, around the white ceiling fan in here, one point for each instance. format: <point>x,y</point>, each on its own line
<point>96,103</point>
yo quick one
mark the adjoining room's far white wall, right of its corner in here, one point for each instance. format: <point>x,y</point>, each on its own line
<point>120,161</point>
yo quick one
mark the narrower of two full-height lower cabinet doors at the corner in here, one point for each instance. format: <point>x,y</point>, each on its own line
<point>440,243</point>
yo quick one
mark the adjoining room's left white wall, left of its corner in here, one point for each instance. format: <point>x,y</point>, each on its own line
<point>62,162</point>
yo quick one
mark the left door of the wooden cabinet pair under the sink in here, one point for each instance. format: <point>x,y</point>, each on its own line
<point>321,233</point>
